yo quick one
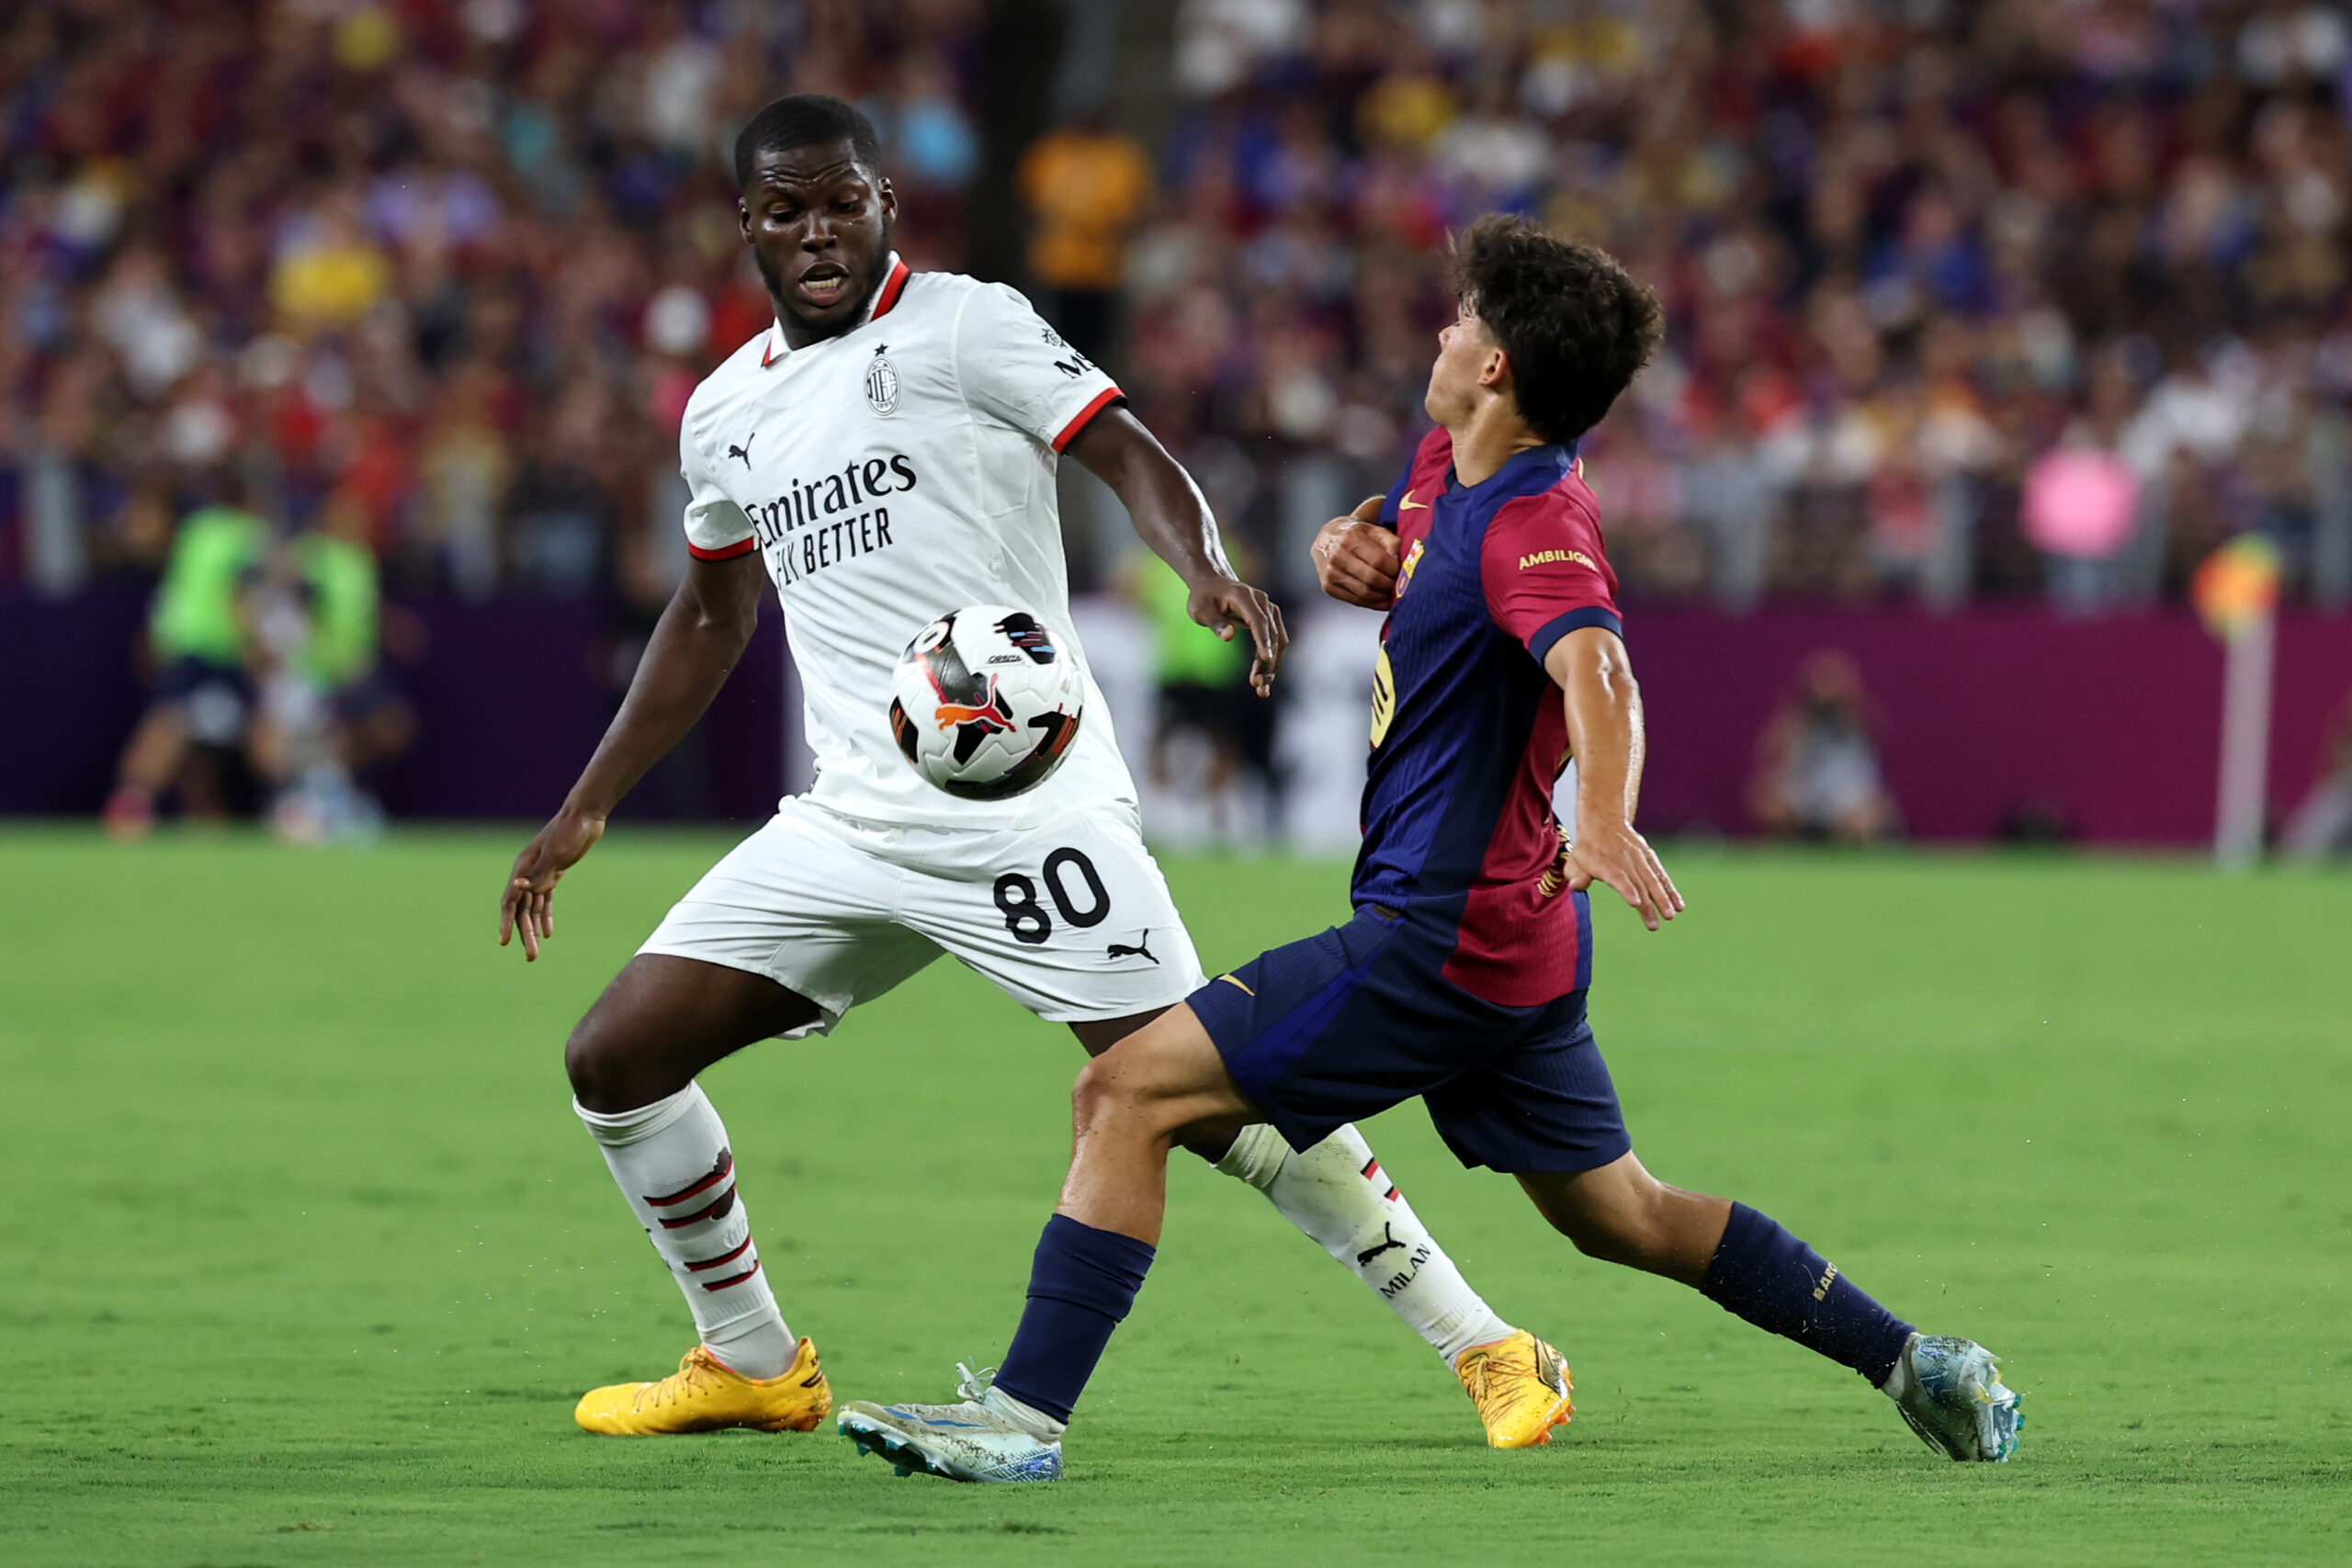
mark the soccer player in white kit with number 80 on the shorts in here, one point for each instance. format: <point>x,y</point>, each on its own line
<point>886,455</point>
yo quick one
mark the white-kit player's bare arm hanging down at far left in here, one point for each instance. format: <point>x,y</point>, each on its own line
<point>690,657</point>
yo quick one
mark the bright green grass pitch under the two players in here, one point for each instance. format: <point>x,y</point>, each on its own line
<point>305,1257</point>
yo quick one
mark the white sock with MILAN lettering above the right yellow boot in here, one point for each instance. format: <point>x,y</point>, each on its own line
<point>1339,1195</point>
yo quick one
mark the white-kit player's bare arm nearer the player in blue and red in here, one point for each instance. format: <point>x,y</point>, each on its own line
<point>1175,521</point>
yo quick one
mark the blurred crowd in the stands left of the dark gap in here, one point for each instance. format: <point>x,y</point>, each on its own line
<point>450,264</point>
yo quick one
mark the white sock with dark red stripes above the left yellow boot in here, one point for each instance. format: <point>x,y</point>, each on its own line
<point>679,1177</point>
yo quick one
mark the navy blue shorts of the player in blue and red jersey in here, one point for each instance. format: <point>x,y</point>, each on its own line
<point>1358,1019</point>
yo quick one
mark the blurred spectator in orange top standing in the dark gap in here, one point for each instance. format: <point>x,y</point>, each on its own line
<point>1085,185</point>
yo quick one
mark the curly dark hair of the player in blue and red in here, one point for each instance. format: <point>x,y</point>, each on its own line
<point>1572,321</point>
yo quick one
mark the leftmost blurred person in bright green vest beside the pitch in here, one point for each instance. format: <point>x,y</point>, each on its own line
<point>201,641</point>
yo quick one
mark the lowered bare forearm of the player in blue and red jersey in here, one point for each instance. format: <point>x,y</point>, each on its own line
<point>1608,742</point>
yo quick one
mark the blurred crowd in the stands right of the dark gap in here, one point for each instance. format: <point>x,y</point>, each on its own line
<point>1998,300</point>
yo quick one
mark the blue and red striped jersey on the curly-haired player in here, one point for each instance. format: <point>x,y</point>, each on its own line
<point>1469,732</point>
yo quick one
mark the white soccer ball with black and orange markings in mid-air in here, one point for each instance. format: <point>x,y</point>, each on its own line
<point>987,702</point>
